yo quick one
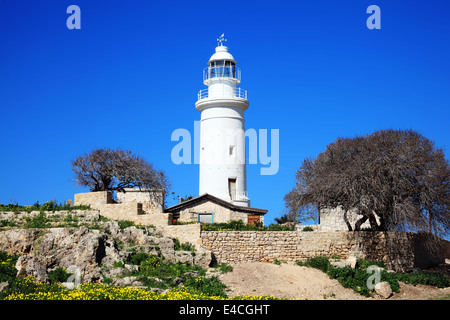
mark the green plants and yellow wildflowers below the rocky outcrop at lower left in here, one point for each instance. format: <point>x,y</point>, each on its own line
<point>154,272</point>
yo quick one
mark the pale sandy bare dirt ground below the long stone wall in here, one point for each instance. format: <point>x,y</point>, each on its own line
<point>291,281</point>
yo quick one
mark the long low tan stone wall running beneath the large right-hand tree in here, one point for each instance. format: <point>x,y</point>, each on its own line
<point>398,250</point>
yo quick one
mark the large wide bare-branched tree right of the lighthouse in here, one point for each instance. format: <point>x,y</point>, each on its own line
<point>395,179</point>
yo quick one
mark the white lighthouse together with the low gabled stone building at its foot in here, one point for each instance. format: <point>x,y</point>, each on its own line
<point>223,180</point>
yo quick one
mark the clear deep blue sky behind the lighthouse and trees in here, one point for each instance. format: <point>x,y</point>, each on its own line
<point>131,75</point>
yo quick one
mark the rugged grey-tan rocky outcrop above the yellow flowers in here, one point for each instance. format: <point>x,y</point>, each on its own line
<point>92,252</point>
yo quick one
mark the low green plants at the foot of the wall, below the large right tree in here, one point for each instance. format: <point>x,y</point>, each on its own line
<point>357,278</point>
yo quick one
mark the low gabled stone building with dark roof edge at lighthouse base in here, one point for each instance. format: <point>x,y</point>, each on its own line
<point>210,209</point>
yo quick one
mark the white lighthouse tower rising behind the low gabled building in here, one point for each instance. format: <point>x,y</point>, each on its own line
<point>222,129</point>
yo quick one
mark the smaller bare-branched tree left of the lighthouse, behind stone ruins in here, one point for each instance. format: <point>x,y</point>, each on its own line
<point>113,170</point>
